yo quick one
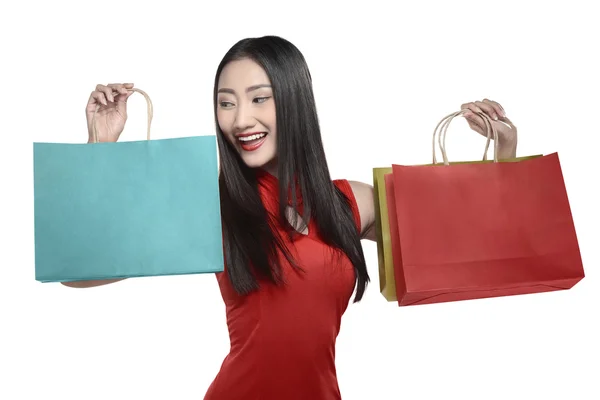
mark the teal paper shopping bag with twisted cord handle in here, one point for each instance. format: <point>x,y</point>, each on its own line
<point>128,209</point>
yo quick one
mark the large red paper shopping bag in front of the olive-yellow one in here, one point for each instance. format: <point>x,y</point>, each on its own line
<point>468,231</point>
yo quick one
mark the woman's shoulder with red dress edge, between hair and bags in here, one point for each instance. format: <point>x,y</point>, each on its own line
<point>362,196</point>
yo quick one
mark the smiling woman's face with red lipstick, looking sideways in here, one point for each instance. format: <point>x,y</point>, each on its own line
<point>246,112</point>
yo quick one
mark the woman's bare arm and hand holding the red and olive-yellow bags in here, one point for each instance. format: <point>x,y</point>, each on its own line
<point>507,148</point>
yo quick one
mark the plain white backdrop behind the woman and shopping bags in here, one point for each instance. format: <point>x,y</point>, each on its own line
<point>384,75</point>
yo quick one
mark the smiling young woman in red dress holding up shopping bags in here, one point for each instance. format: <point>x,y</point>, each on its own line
<point>292,235</point>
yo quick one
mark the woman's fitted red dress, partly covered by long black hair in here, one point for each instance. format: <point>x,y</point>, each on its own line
<point>283,337</point>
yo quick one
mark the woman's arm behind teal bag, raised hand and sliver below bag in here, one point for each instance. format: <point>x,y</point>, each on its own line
<point>110,122</point>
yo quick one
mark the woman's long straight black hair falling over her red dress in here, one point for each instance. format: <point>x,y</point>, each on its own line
<point>250,238</point>
